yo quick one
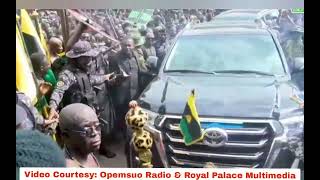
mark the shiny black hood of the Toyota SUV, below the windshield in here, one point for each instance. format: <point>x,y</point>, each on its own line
<point>221,96</point>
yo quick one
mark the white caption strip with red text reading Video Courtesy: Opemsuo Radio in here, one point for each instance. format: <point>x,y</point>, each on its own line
<point>157,174</point>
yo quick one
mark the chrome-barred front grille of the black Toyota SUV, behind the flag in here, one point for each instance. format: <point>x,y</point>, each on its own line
<point>247,146</point>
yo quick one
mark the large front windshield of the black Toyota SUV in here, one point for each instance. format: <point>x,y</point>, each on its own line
<point>226,53</point>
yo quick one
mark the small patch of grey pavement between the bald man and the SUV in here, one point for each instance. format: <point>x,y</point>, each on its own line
<point>119,160</point>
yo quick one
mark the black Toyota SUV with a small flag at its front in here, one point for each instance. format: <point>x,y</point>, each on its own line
<point>243,91</point>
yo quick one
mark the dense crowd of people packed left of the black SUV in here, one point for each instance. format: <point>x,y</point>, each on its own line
<point>89,80</point>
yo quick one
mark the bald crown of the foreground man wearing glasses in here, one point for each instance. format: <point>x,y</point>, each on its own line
<point>75,115</point>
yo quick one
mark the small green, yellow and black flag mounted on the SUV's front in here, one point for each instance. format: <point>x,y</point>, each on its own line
<point>190,126</point>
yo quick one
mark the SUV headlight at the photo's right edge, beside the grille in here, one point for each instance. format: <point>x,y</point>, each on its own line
<point>294,134</point>
